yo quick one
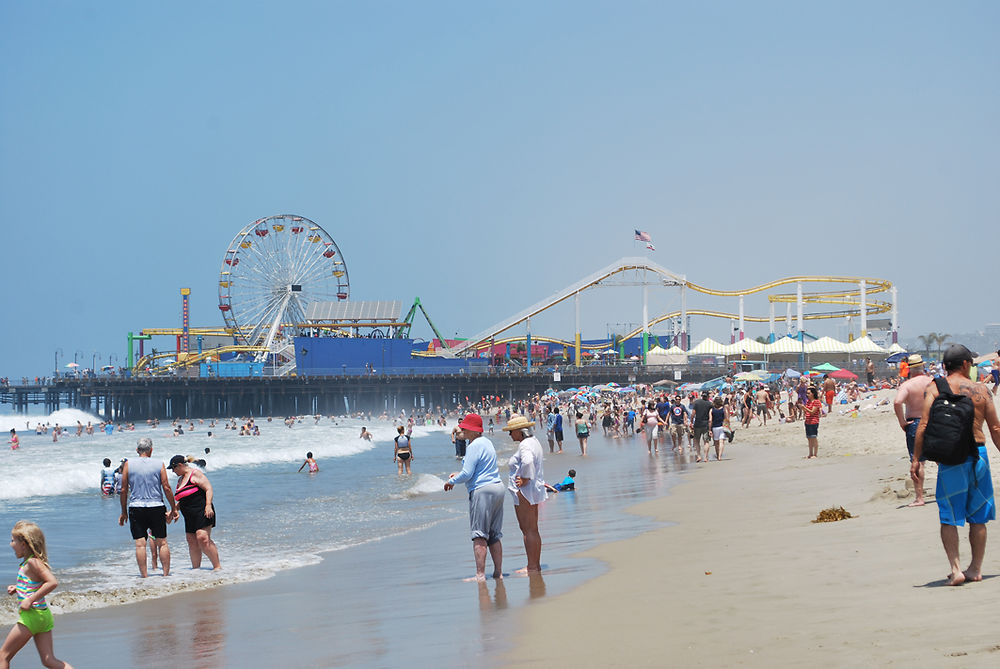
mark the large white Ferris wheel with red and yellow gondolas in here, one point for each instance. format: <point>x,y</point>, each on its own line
<point>274,268</point>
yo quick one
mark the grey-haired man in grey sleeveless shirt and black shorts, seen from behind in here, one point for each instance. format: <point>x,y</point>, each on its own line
<point>144,483</point>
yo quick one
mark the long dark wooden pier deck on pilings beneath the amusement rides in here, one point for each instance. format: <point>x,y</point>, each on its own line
<point>133,399</point>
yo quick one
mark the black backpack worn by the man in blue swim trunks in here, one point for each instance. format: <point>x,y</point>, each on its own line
<point>948,436</point>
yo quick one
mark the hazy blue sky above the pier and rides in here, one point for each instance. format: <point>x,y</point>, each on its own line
<point>484,155</point>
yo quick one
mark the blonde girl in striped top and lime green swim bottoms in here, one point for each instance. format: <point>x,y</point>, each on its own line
<point>34,581</point>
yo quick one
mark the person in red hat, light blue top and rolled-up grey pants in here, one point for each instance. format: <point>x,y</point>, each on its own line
<point>486,492</point>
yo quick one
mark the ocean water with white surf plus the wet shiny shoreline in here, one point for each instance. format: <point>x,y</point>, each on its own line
<point>376,543</point>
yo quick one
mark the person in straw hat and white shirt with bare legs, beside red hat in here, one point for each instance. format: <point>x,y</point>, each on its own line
<point>526,485</point>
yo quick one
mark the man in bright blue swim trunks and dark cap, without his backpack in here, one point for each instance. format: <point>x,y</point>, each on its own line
<point>965,491</point>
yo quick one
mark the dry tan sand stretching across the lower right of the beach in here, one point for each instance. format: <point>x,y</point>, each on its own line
<point>745,579</point>
